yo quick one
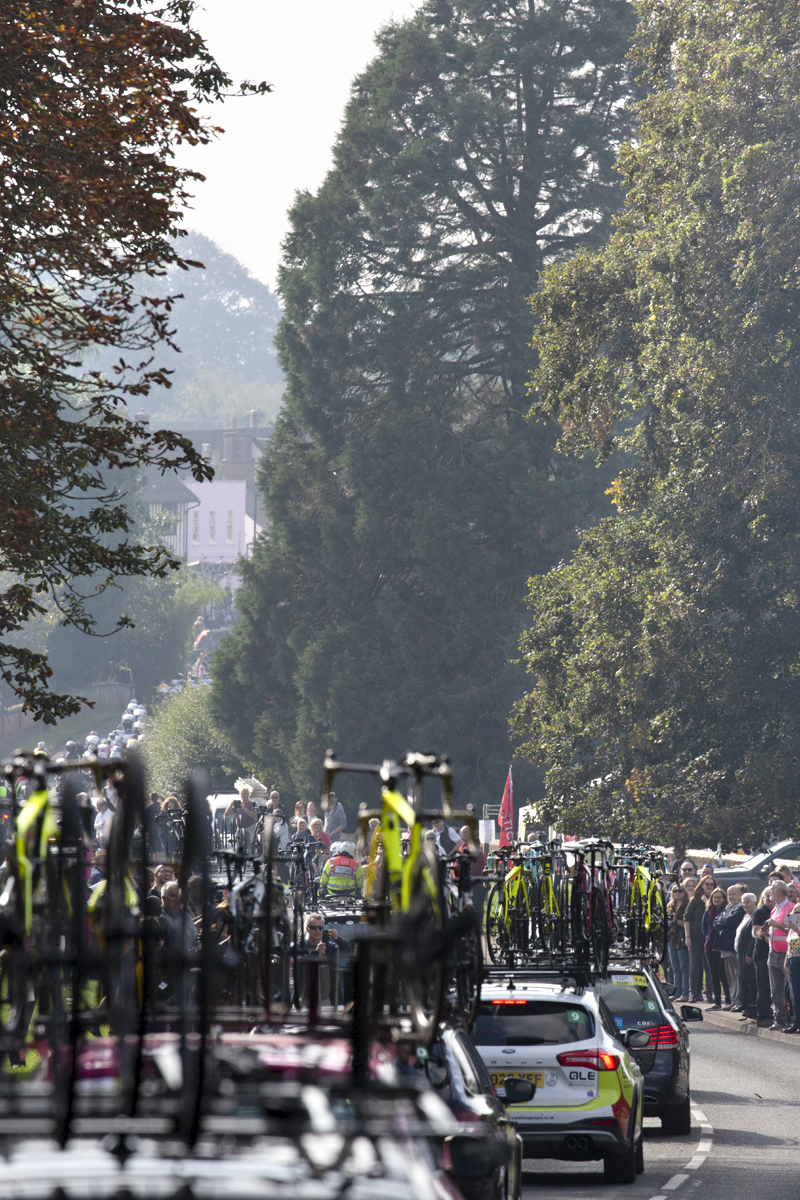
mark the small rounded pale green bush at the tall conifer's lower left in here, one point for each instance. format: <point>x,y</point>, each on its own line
<point>183,737</point>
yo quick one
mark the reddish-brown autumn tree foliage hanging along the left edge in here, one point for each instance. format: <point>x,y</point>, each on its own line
<point>95,100</point>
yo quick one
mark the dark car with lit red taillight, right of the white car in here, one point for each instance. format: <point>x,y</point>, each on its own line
<point>637,999</point>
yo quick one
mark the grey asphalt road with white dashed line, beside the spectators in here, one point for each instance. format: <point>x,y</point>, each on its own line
<point>745,1139</point>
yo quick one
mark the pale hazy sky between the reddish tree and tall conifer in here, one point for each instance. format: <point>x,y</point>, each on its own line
<point>275,145</point>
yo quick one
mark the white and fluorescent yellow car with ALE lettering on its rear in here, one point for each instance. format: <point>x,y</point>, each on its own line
<point>561,1037</point>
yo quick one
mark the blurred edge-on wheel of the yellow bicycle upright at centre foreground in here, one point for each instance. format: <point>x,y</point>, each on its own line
<point>425,917</point>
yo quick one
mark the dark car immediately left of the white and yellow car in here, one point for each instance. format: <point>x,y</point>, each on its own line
<point>458,1073</point>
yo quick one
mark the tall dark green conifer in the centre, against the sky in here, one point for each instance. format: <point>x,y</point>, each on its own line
<point>408,499</point>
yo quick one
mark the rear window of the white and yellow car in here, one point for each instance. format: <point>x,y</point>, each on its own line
<point>532,1023</point>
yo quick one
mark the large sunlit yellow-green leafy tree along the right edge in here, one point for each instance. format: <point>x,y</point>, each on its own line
<point>667,653</point>
